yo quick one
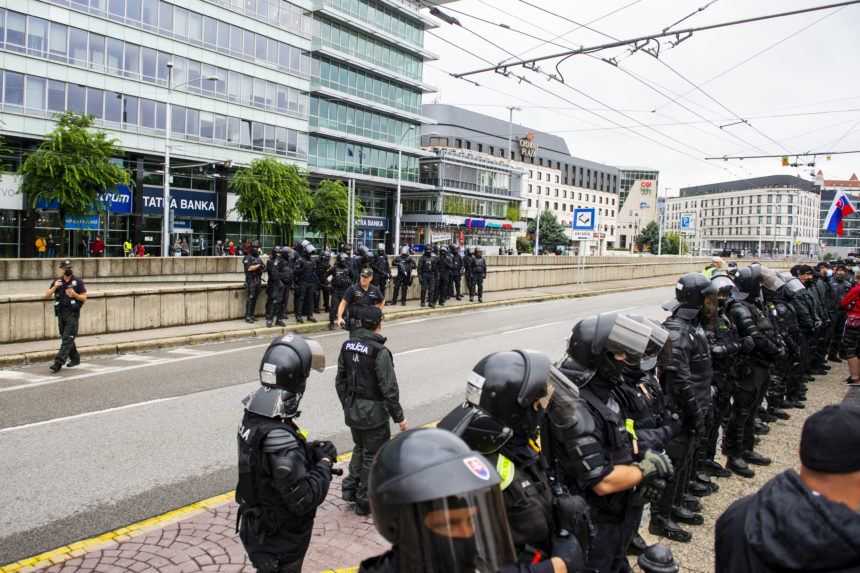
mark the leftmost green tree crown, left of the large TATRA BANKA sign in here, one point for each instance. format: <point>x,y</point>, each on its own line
<point>72,166</point>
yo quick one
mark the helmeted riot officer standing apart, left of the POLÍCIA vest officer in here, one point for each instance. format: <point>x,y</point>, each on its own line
<point>282,477</point>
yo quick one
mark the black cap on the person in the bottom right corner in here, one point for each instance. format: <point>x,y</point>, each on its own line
<point>830,440</point>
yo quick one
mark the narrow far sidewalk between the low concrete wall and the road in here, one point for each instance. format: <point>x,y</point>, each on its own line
<point>43,350</point>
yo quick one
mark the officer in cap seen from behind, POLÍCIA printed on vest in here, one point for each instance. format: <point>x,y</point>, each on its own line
<point>367,388</point>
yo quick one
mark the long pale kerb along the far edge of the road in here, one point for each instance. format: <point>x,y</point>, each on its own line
<point>209,337</point>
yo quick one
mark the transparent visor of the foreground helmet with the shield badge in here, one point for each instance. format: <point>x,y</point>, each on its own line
<point>458,534</point>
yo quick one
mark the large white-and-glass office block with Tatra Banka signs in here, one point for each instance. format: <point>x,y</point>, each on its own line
<point>332,86</point>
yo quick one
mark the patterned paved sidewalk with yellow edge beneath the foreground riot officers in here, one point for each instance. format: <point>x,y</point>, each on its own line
<point>201,537</point>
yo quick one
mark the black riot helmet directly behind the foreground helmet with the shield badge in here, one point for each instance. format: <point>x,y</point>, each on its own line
<point>506,385</point>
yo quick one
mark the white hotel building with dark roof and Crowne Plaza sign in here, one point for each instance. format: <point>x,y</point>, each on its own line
<point>553,180</point>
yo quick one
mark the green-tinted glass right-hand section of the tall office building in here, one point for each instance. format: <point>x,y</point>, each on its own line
<point>365,105</point>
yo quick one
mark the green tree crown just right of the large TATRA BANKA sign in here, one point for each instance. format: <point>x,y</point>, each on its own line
<point>271,192</point>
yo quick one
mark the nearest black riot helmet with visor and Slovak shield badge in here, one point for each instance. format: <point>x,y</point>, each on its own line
<point>439,503</point>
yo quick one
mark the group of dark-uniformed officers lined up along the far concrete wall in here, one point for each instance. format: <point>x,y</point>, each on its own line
<point>317,283</point>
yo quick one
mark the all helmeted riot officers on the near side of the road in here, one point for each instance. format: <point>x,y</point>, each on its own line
<point>548,467</point>
